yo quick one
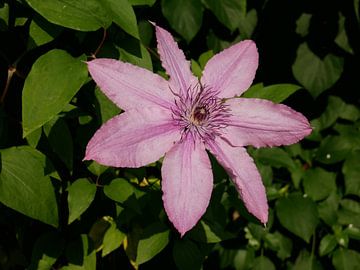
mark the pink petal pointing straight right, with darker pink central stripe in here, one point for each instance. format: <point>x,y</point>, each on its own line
<point>261,123</point>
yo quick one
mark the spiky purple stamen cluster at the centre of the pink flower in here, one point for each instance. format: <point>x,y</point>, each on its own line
<point>200,112</point>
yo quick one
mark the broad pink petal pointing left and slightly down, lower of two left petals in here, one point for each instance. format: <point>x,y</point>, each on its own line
<point>134,138</point>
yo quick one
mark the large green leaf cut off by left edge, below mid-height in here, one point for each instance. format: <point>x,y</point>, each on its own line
<point>25,185</point>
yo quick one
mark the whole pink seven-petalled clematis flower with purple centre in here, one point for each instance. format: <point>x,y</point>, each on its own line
<point>183,117</point>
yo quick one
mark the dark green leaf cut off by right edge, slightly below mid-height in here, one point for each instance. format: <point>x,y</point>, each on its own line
<point>351,171</point>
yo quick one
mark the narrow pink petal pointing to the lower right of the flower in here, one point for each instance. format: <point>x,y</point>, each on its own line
<point>241,168</point>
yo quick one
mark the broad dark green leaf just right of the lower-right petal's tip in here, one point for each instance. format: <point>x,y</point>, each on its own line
<point>298,214</point>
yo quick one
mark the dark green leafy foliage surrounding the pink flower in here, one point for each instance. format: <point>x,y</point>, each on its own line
<point>58,212</point>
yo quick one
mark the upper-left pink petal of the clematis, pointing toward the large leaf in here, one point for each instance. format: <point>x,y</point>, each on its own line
<point>129,86</point>
